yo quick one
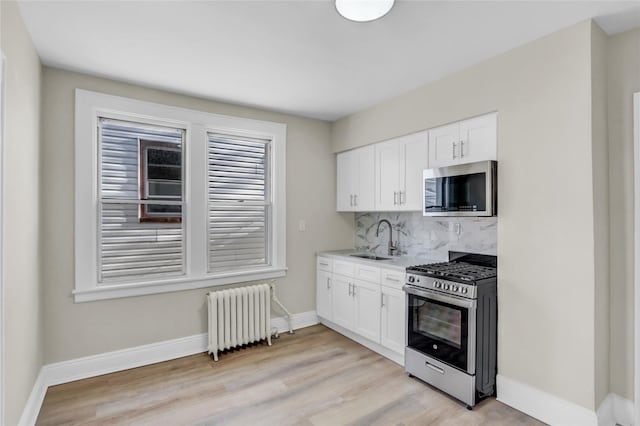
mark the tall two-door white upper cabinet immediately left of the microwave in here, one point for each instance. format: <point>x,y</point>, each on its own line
<point>399,166</point>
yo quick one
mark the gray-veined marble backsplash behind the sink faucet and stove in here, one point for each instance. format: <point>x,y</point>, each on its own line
<point>430,237</point>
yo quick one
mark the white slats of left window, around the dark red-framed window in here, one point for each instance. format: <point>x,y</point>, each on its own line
<point>129,248</point>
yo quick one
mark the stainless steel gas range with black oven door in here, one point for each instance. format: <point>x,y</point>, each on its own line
<point>451,325</point>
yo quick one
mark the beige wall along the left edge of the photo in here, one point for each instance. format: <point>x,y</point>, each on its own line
<point>23,302</point>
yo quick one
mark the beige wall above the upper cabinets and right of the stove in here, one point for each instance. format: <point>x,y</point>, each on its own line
<point>546,238</point>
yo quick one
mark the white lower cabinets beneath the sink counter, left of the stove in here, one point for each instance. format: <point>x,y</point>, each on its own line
<point>365,300</point>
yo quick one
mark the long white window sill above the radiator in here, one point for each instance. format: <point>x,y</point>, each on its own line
<point>104,292</point>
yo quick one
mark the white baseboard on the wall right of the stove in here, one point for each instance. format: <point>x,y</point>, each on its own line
<point>542,405</point>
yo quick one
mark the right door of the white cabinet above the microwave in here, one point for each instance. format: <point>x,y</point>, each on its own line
<point>478,137</point>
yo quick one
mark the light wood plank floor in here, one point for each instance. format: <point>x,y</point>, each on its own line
<point>315,377</point>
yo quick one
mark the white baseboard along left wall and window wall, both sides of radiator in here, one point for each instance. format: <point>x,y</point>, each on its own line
<point>110,362</point>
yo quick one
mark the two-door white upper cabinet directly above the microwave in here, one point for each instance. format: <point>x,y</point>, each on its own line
<point>467,141</point>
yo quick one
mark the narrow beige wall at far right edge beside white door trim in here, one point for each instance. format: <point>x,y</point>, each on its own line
<point>623,75</point>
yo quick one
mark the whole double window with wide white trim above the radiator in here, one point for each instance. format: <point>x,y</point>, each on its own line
<point>170,199</point>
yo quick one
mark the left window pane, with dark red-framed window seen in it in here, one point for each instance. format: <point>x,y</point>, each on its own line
<point>140,193</point>
